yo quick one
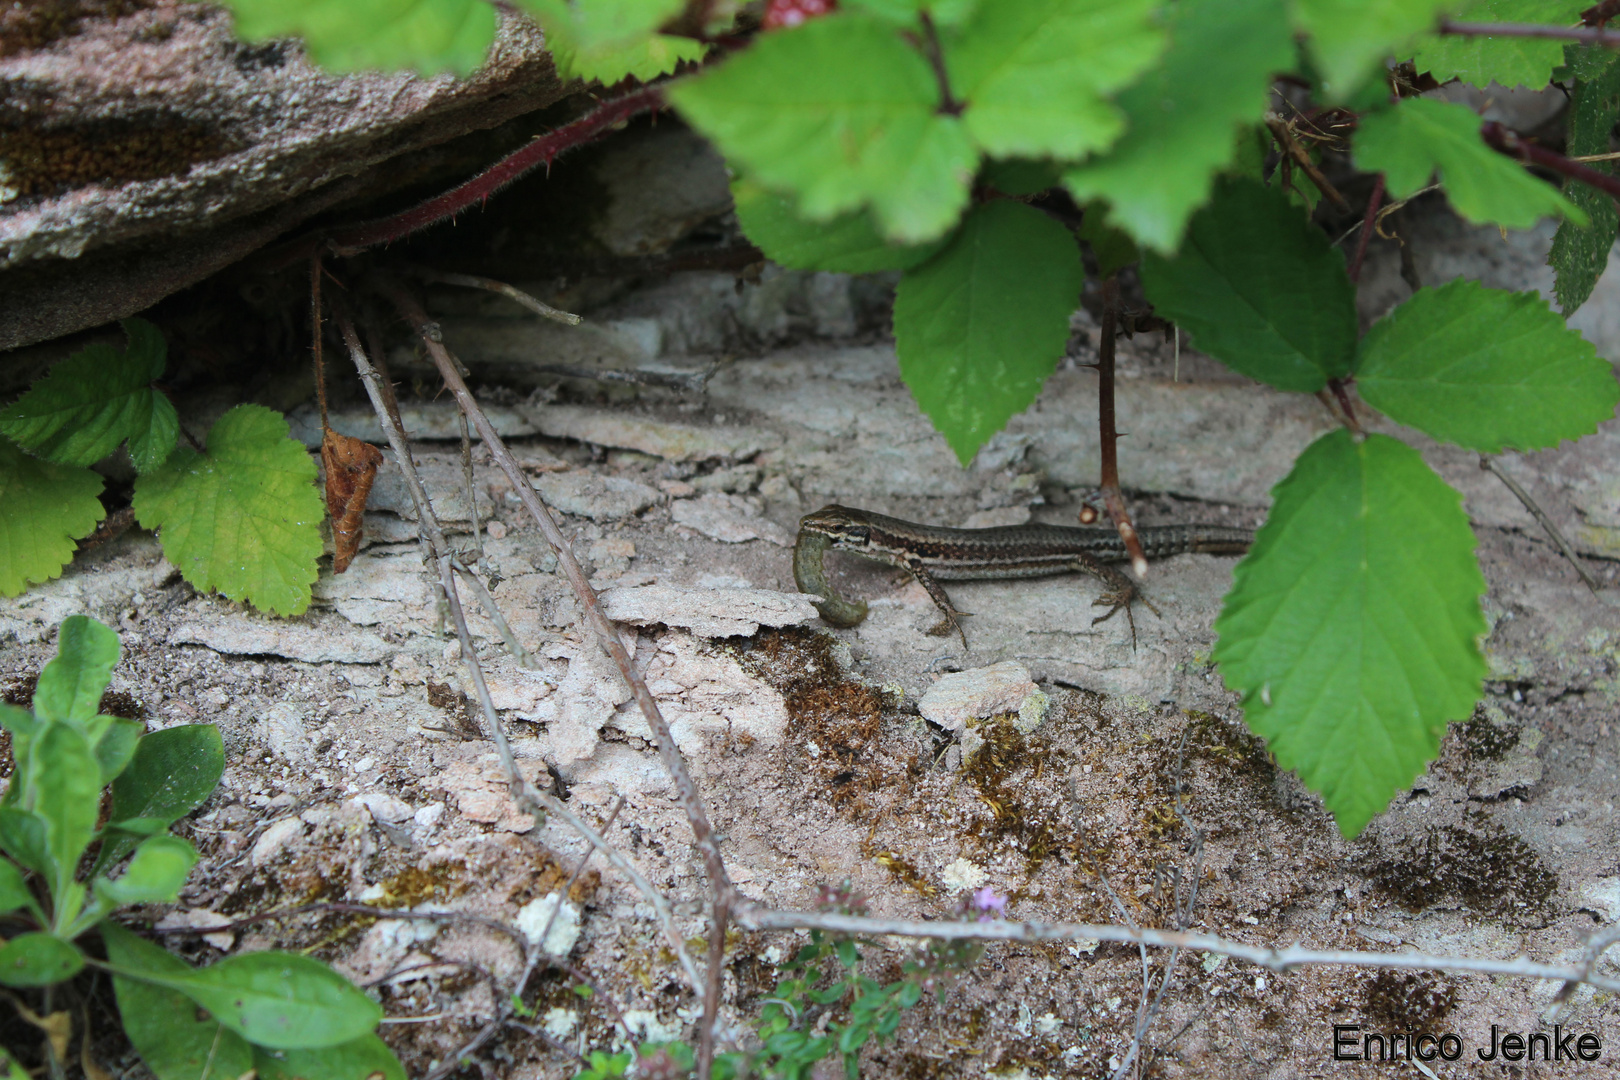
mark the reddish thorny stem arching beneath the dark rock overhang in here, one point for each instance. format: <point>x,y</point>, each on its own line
<point>542,151</point>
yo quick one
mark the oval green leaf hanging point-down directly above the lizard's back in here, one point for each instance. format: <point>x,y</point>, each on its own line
<point>983,325</point>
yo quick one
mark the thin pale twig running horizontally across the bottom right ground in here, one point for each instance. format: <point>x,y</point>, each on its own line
<point>754,917</point>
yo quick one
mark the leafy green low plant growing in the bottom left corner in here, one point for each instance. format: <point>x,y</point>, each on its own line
<point>276,1013</point>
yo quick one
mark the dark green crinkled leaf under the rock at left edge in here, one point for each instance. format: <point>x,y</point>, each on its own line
<point>95,401</point>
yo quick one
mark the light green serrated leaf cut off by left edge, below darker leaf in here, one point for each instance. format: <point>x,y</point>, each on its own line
<point>45,509</point>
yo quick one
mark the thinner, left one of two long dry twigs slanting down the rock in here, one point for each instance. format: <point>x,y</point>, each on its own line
<point>388,415</point>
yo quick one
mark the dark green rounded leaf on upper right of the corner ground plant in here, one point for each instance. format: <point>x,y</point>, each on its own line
<point>173,773</point>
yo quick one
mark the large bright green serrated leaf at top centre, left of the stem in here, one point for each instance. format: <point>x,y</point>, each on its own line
<point>855,125</point>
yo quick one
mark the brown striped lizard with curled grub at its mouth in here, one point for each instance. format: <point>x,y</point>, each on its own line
<point>1010,551</point>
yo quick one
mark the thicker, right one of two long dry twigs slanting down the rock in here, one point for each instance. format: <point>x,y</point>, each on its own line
<point>688,794</point>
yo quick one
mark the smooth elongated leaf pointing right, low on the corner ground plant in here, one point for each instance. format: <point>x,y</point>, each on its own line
<point>276,1000</point>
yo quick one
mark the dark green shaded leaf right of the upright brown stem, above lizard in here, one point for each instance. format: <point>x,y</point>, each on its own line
<point>1260,289</point>
